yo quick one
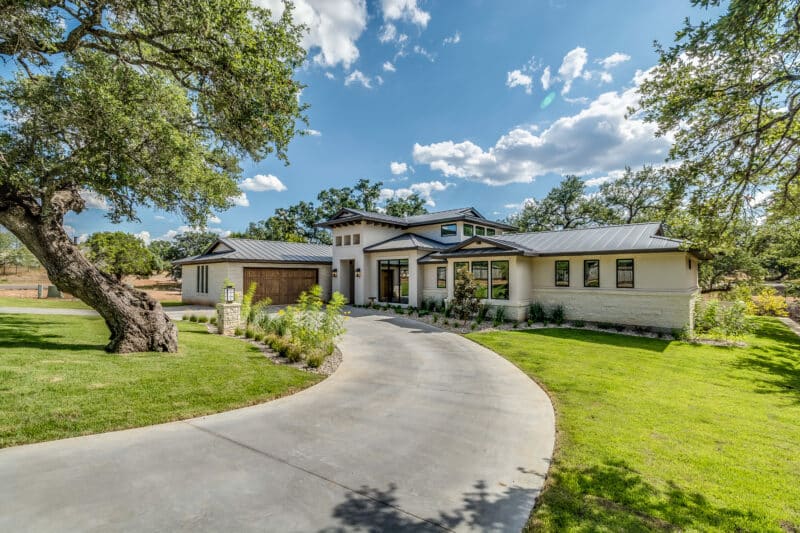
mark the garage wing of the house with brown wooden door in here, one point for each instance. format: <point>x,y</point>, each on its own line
<point>281,270</point>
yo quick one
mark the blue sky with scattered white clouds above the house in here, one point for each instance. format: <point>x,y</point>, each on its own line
<point>452,100</point>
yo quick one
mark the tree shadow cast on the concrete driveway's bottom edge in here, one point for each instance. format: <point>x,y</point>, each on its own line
<point>376,510</point>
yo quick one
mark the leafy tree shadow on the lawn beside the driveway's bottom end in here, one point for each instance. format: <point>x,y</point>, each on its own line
<point>612,496</point>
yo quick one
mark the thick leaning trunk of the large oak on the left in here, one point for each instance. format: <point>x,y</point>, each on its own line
<point>136,321</point>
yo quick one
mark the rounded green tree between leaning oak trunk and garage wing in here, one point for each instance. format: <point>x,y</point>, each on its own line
<point>120,254</point>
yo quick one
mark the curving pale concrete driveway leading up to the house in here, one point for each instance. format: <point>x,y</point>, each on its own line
<point>418,430</point>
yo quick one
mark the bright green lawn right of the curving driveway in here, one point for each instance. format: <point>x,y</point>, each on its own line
<point>657,435</point>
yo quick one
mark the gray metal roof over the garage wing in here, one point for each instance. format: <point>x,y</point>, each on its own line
<point>245,250</point>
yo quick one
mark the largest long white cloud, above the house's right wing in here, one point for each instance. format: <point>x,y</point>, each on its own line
<point>597,139</point>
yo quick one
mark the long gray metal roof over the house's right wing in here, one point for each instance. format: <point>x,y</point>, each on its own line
<point>644,237</point>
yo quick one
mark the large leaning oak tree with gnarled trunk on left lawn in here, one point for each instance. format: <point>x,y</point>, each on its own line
<point>144,103</point>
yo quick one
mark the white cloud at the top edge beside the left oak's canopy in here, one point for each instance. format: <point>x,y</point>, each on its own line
<point>334,26</point>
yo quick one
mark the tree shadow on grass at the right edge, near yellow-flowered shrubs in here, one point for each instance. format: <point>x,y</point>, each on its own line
<point>777,360</point>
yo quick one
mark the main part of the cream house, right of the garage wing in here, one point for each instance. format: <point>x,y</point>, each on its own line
<point>627,274</point>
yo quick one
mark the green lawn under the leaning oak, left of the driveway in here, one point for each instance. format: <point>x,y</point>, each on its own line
<point>56,381</point>
